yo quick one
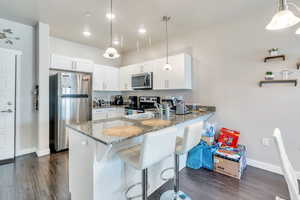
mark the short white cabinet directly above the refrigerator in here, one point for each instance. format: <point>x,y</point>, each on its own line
<point>71,64</point>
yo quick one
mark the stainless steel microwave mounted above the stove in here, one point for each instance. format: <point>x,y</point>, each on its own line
<point>142,81</point>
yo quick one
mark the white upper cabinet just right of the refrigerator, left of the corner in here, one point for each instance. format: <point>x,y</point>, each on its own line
<point>105,78</point>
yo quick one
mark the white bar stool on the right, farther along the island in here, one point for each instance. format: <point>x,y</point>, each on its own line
<point>191,138</point>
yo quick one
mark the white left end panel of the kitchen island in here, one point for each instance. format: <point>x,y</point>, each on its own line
<point>81,166</point>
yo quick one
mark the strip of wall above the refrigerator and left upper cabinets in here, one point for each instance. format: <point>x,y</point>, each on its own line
<point>72,49</point>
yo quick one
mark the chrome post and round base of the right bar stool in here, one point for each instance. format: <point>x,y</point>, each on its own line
<point>175,194</point>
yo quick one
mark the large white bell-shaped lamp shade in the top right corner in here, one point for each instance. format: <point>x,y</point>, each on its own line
<point>284,18</point>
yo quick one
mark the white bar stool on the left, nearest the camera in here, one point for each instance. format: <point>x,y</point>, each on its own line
<point>156,147</point>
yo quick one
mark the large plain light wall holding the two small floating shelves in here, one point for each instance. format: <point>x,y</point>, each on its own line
<point>227,65</point>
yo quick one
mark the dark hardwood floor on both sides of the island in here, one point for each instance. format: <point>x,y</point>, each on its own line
<point>46,178</point>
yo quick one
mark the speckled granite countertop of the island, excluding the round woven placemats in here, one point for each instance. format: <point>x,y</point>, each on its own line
<point>95,129</point>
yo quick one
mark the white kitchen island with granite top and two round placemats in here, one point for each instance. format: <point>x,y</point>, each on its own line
<point>96,172</point>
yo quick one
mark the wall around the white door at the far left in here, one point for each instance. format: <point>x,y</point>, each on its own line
<point>26,138</point>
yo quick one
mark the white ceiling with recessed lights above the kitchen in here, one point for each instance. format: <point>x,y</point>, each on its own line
<point>67,17</point>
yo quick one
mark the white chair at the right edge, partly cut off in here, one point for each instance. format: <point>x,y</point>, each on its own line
<point>287,168</point>
